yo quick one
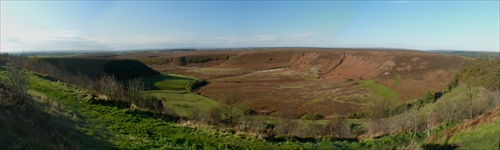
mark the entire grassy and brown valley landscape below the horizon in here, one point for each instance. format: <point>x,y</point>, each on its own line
<point>266,99</point>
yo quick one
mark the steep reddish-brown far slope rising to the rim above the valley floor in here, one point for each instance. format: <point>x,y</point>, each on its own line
<point>410,73</point>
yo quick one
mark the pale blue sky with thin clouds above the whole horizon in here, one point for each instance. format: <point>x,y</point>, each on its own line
<point>121,25</point>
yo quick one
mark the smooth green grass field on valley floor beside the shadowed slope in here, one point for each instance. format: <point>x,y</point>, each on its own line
<point>173,88</point>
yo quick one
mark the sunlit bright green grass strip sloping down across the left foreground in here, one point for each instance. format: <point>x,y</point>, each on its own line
<point>130,129</point>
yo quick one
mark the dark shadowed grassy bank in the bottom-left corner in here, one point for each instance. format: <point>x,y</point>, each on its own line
<point>28,126</point>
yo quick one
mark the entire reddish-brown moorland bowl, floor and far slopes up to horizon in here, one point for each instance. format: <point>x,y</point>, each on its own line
<point>304,80</point>
